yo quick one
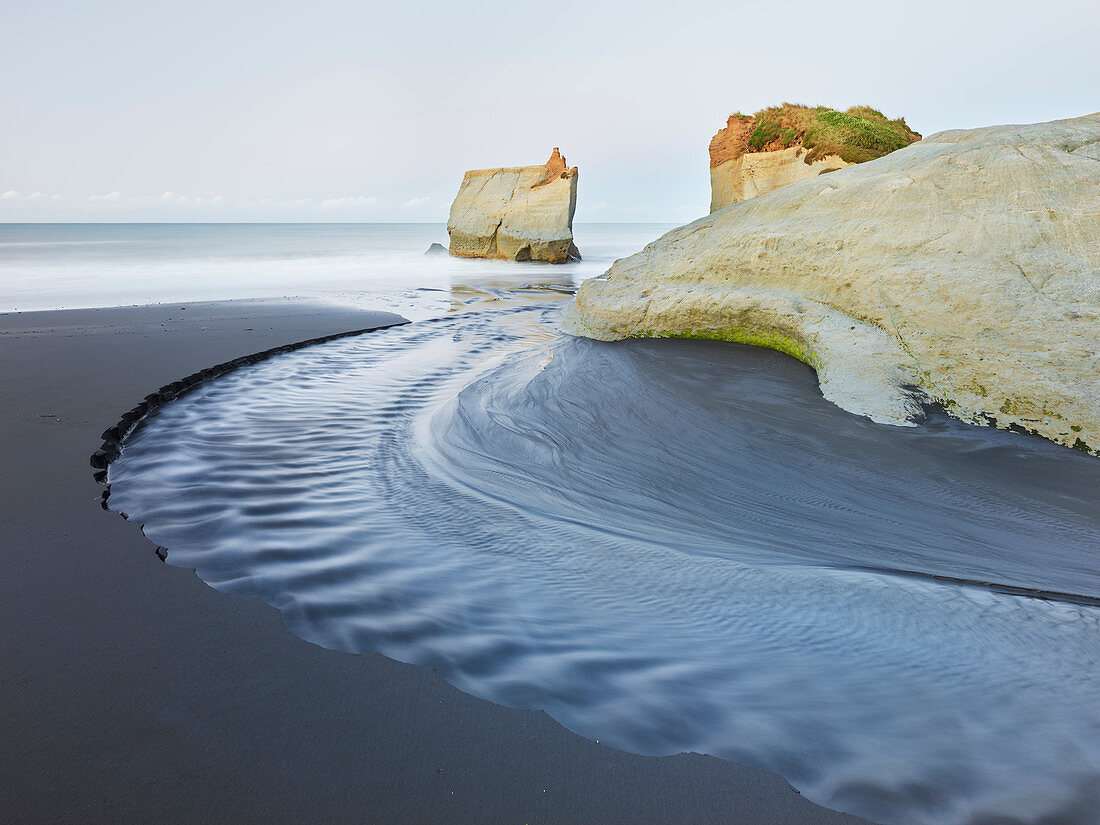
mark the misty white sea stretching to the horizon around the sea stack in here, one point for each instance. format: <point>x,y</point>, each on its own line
<point>371,266</point>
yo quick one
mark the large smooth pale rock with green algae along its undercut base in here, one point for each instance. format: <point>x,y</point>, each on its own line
<point>966,267</point>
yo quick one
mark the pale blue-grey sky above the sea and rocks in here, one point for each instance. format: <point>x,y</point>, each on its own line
<point>365,112</point>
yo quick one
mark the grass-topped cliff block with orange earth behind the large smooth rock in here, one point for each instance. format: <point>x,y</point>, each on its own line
<point>757,155</point>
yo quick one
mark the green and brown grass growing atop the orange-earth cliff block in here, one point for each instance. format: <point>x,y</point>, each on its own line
<point>859,135</point>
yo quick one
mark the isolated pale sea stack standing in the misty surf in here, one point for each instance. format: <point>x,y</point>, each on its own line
<point>520,214</point>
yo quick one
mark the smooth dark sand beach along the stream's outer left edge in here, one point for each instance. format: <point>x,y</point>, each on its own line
<point>130,691</point>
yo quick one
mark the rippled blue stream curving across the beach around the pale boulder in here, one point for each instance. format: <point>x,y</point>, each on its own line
<point>667,545</point>
